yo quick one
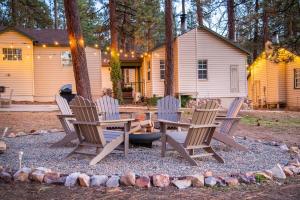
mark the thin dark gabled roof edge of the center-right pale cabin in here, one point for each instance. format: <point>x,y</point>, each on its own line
<point>215,34</point>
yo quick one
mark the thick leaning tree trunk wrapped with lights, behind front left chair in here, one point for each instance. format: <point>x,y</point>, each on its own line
<point>77,49</point>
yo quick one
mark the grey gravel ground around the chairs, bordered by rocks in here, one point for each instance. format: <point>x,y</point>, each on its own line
<point>143,161</point>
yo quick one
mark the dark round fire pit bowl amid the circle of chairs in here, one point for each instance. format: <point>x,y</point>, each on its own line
<point>143,133</point>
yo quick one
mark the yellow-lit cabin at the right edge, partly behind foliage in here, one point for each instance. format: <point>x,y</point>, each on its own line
<point>274,80</point>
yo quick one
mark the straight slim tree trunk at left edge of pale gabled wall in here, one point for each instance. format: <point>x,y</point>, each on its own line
<point>169,88</point>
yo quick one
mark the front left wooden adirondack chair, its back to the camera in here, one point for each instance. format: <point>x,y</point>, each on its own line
<point>90,133</point>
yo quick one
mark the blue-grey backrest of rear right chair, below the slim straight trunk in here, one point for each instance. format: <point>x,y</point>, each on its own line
<point>168,108</point>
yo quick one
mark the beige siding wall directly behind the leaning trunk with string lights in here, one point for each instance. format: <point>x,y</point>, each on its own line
<point>50,74</point>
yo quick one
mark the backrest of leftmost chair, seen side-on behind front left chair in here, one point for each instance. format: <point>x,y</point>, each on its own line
<point>65,109</point>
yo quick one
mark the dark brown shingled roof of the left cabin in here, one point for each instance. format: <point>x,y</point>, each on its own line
<point>41,36</point>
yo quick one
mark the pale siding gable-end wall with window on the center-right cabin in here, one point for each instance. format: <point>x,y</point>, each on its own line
<point>199,44</point>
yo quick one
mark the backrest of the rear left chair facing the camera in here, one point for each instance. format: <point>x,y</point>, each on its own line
<point>108,108</point>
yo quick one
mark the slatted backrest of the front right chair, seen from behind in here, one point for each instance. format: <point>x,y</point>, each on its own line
<point>204,115</point>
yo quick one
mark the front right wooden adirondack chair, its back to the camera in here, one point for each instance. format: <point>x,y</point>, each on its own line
<point>199,134</point>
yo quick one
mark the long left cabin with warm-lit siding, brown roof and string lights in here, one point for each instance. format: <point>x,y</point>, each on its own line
<point>35,63</point>
